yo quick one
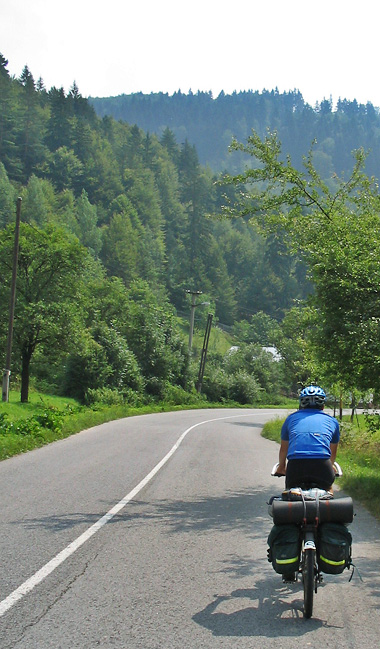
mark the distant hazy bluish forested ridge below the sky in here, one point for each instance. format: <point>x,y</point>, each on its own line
<point>210,124</point>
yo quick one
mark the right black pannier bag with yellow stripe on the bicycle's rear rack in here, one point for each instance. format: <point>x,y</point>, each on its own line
<point>334,548</point>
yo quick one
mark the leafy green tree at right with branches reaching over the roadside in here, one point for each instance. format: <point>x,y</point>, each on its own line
<point>334,226</point>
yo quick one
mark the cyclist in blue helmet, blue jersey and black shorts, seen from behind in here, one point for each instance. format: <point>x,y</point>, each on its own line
<point>309,442</point>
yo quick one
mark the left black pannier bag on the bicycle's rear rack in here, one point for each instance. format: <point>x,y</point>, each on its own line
<point>284,548</point>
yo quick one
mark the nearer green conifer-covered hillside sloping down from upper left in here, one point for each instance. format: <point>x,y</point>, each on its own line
<point>139,203</point>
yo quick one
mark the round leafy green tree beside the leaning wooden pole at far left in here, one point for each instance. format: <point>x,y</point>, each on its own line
<point>49,278</point>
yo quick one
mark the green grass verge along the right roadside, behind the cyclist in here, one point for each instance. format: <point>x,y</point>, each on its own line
<point>359,457</point>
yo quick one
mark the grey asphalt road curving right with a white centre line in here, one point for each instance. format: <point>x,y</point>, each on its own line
<point>180,559</point>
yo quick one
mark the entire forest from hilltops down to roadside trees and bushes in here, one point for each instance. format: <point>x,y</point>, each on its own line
<point>121,218</point>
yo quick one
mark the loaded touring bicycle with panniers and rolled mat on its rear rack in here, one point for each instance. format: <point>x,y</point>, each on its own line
<point>309,508</point>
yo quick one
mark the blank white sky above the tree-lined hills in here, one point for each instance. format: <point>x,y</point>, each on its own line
<point>321,47</point>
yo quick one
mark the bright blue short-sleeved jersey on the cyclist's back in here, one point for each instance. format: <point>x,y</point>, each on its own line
<point>310,433</point>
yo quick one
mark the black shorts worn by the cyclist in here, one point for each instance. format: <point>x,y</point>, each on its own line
<point>318,472</point>
